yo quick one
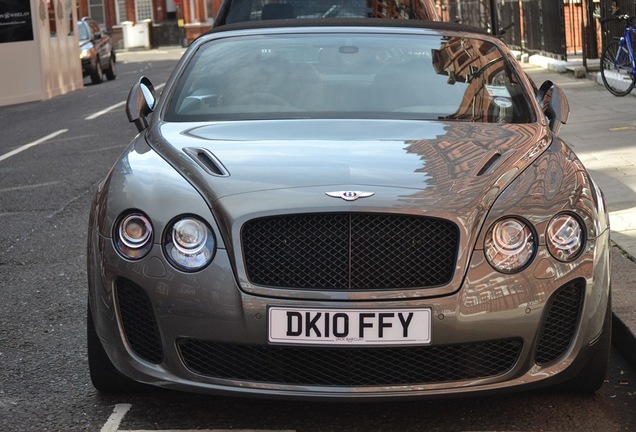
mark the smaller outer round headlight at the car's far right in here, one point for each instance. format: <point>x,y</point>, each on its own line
<point>564,237</point>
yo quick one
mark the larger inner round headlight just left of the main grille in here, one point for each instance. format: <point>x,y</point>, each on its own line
<point>189,244</point>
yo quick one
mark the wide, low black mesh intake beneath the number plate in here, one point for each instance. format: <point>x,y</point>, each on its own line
<point>349,366</point>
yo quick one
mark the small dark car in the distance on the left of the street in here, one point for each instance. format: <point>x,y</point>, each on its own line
<point>96,52</point>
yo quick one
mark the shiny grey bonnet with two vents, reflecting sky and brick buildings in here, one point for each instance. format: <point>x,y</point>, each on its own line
<point>434,163</point>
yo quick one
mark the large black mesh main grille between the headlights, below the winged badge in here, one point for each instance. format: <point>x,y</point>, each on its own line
<point>350,251</point>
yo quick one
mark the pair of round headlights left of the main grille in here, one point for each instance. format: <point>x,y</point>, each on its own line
<point>188,242</point>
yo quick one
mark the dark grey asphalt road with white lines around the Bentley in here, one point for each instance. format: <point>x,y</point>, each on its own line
<point>52,156</point>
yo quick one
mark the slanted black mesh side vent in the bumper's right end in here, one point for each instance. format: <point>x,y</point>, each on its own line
<point>561,322</point>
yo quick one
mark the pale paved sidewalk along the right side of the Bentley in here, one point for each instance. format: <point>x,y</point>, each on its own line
<point>602,131</point>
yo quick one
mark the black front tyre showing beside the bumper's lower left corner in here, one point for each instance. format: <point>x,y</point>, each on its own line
<point>104,376</point>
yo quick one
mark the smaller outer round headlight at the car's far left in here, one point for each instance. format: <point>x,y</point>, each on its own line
<point>133,237</point>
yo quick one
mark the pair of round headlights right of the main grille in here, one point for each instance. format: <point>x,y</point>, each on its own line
<point>511,243</point>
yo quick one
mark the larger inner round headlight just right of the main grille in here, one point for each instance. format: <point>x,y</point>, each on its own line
<point>509,245</point>
